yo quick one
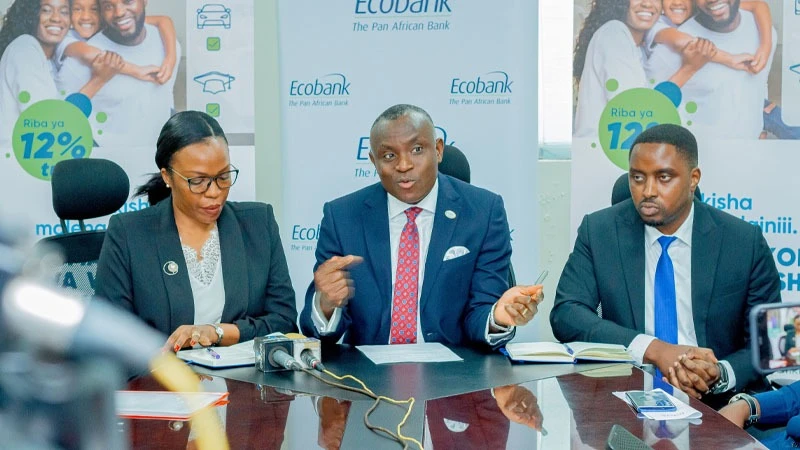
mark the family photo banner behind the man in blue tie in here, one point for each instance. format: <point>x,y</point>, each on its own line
<point>727,71</point>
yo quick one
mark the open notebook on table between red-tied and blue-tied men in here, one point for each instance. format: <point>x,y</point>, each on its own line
<point>554,352</point>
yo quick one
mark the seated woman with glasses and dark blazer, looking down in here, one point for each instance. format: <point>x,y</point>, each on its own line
<point>194,265</point>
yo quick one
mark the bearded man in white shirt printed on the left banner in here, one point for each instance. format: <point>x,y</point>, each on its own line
<point>135,109</point>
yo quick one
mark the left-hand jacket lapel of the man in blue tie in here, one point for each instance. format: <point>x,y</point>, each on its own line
<point>630,234</point>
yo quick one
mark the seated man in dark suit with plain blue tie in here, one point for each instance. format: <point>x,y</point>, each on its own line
<point>676,278</point>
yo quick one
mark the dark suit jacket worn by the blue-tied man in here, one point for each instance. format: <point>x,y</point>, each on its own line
<point>732,271</point>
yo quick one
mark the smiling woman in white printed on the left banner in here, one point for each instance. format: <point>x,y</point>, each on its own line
<point>31,31</point>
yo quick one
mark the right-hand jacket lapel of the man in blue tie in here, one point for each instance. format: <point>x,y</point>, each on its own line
<point>706,245</point>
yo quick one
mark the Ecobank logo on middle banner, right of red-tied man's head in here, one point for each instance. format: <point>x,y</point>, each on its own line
<point>491,88</point>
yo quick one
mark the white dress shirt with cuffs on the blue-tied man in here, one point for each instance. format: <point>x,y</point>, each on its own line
<point>680,252</point>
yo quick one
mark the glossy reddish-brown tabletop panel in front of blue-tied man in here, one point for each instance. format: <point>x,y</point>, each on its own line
<point>576,410</point>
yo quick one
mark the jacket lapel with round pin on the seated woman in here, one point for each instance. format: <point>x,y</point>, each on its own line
<point>179,290</point>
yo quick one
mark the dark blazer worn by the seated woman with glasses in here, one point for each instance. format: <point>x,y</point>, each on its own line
<point>259,297</point>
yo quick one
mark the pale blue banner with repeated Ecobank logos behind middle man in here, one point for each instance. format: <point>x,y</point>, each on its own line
<point>369,55</point>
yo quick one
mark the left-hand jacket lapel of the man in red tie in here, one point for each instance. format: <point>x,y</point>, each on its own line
<point>375,218</point>
